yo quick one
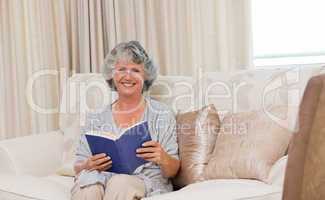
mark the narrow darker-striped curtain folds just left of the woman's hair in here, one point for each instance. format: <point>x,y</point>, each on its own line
<point>92,22</point>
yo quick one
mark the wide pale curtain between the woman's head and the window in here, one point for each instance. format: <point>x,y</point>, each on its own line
<point>185,36</point>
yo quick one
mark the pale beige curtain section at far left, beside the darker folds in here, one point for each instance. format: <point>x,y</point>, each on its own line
<point>33,42</point>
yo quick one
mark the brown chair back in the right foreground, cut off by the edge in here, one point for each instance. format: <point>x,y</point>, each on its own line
<point>305,173</point>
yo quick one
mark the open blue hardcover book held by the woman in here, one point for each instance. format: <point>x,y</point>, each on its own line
<point>122,149</point>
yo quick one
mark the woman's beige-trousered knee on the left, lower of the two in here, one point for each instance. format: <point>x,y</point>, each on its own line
<point>91,192</point>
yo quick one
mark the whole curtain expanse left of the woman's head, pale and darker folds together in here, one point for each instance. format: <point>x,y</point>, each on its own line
<point>42,42</point>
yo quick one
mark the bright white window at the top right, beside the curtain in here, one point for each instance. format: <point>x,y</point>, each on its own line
<point>288,31</point>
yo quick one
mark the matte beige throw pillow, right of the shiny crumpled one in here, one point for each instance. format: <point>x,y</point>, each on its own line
<point>248,145</point>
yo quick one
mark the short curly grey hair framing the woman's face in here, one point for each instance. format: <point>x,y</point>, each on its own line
<point>132,52</point>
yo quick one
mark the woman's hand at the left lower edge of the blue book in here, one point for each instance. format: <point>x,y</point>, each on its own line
<point>99,162</point>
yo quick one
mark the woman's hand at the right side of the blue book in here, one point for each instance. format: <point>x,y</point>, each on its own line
<point>152,151</point>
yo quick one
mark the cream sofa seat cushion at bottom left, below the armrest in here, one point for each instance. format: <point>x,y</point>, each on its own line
<point>25,187</point>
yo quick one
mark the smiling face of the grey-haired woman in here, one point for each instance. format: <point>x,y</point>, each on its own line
<point>128,78</point>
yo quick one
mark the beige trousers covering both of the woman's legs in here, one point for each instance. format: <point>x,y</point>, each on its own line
<point>119,187</point>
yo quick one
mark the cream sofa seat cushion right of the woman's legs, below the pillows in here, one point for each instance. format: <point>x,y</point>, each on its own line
<point>224,189</point>
